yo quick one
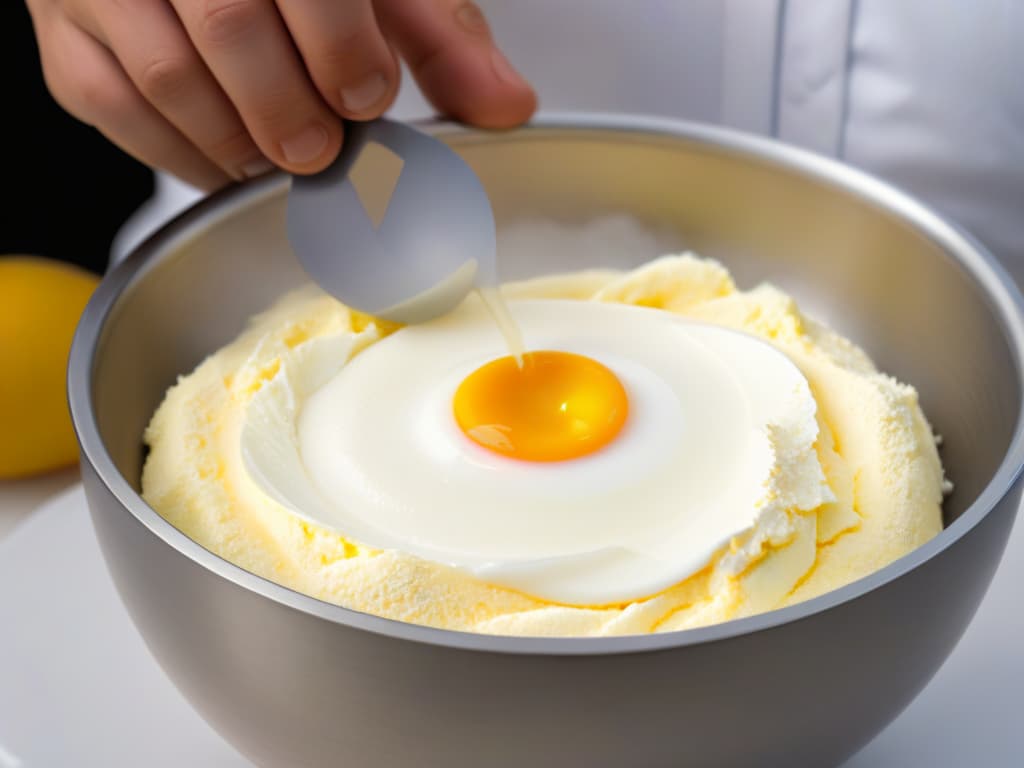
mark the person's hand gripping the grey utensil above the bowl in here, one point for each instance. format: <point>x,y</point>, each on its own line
<point>214,91</point>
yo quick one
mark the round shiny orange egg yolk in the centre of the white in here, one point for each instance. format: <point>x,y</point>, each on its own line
<point>559,406</point>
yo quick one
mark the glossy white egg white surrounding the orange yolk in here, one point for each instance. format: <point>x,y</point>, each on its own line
<point>372,451</point>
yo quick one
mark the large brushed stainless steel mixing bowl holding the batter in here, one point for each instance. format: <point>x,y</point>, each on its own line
<point>292,681</point>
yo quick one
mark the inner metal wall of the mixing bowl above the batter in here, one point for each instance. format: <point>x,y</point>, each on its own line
<point>847,255</point>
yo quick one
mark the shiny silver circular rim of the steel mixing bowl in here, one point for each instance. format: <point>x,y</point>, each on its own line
<point>1000,290</point>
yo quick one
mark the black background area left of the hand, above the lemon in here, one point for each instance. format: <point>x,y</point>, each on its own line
<point>66,189</point>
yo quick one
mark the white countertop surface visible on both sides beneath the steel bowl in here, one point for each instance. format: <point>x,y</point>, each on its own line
<point>79,689</point>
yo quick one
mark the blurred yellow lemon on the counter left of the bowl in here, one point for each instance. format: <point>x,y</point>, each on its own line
<point>40,305</point>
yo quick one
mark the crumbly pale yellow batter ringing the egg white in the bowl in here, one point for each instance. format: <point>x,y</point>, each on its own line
<point>876,448</point>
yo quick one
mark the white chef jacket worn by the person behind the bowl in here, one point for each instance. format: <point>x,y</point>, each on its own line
<point>928,95</point>
